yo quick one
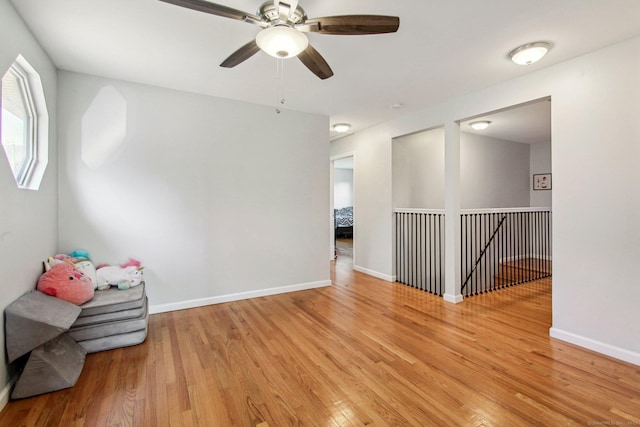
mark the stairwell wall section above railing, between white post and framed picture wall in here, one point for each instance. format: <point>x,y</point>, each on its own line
<point>493,173</point>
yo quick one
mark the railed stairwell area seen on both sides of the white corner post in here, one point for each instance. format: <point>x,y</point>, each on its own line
<point>505,199</point>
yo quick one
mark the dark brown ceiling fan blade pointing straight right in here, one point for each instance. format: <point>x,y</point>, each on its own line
<point>353,24</point>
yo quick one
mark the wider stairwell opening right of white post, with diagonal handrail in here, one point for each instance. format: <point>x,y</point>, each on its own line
<point>506,198</point>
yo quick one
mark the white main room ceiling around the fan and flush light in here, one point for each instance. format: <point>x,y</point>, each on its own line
<point>443,49</point>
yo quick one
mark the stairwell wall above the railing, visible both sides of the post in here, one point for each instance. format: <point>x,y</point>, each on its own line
<point>494,173</point>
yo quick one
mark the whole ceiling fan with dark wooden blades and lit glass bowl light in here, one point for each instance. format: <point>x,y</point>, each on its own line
<point>283,27</point>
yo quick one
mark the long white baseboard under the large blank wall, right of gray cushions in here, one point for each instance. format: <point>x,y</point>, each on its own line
<point>182,305</point>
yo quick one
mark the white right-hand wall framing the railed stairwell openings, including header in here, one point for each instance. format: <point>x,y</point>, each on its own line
<point>595,151</point>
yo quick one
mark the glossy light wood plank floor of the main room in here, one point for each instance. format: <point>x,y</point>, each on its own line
<point>362,352</point>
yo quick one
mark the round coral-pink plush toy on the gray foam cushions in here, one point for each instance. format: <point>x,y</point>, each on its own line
<point>66,282</point>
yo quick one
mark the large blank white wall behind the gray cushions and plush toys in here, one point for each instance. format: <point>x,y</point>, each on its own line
<point>214,200</point>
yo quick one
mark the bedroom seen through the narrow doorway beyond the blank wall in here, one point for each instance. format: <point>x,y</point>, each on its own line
<point>342,209</point>
